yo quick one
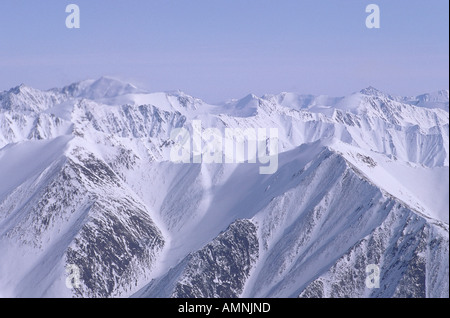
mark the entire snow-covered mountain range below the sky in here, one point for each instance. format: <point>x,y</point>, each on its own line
<point>86,179</point>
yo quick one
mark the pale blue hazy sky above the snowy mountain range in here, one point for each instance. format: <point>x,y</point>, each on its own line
<point>221,49</point>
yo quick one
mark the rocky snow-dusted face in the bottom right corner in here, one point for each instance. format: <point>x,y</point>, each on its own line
<point>408,262</point>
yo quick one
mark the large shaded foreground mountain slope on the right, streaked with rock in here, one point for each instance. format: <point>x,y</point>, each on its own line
<point>327,218</point>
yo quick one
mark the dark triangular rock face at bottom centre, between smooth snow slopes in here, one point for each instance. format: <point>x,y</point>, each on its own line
<point>218,270</point>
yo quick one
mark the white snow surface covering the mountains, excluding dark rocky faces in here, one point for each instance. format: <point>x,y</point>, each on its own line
<point>399,146</point>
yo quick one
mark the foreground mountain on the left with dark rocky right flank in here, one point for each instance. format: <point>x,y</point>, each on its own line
<point>73,209</point>
